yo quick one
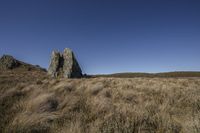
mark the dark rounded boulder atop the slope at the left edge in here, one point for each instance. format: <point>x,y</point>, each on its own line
<point>8,62</point>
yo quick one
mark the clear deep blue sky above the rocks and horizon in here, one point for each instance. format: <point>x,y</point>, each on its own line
<point>107,36</point>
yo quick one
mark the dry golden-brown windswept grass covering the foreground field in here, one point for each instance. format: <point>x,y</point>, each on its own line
<point>36,103</point>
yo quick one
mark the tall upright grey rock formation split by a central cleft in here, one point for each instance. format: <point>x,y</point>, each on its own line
<point>64,65</point>
